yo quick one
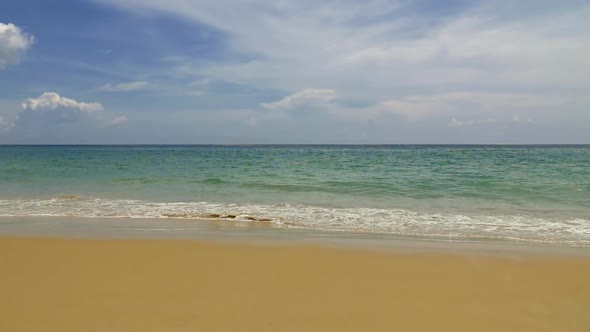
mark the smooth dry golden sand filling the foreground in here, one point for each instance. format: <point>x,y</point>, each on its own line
<point>51,284</point>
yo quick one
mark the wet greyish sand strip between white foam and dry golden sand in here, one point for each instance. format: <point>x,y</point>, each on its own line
<point>263,233</point>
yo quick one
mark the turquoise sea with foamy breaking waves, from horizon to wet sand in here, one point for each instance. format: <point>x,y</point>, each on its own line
<point>522,193</point>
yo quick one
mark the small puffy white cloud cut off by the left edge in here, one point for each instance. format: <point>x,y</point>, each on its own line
<point>13,44</point>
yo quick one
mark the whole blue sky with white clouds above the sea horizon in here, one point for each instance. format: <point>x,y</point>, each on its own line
<point>294,72</point>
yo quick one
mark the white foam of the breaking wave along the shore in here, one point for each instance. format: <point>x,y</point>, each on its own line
<point>574,231</point>
